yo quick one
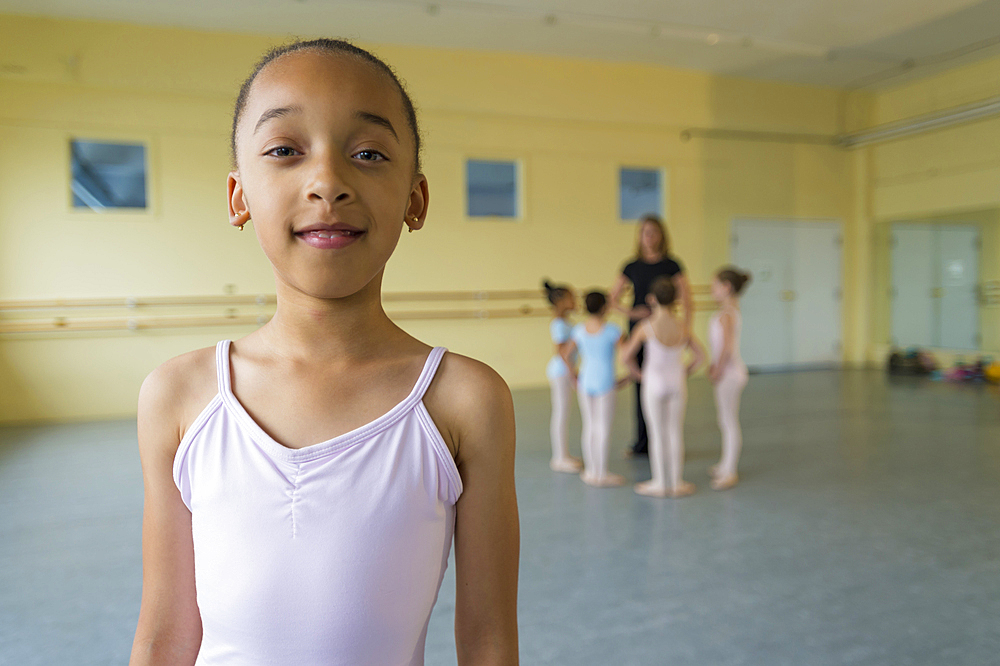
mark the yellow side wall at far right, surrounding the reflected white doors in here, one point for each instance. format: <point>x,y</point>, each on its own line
<point>947,176</point>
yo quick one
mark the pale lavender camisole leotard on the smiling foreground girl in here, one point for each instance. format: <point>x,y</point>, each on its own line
<point>328,554</point>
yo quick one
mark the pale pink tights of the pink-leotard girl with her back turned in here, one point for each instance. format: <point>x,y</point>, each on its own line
<point>665,421</point>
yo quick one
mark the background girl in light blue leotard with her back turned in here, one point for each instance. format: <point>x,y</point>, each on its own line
<point>597,342</point>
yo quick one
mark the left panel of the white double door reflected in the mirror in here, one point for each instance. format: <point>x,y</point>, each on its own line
<point>913,284</point>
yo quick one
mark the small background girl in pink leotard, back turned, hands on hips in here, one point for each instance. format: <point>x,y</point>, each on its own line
<point>664,339</point>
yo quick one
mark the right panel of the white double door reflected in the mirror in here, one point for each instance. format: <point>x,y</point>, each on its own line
<point>958,295</point>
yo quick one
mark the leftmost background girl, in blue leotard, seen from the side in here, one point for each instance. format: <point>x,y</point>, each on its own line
<point>563,302</point>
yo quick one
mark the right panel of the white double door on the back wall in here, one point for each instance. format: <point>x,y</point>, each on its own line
<point>816,311</point>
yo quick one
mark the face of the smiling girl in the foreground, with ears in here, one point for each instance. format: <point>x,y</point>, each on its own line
<point>326,171</point>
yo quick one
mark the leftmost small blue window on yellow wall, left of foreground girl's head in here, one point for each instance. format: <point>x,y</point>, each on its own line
<point>108,175</point>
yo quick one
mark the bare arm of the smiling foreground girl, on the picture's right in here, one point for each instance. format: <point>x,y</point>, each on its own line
<point>475,406</point>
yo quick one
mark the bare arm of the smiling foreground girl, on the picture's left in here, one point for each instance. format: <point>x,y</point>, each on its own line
<point>169,628</point>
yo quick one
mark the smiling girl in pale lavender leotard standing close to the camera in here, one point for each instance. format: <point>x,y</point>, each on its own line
<point>303,483</point>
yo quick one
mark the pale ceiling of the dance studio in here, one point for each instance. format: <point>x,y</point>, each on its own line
<point>842,43</point>
